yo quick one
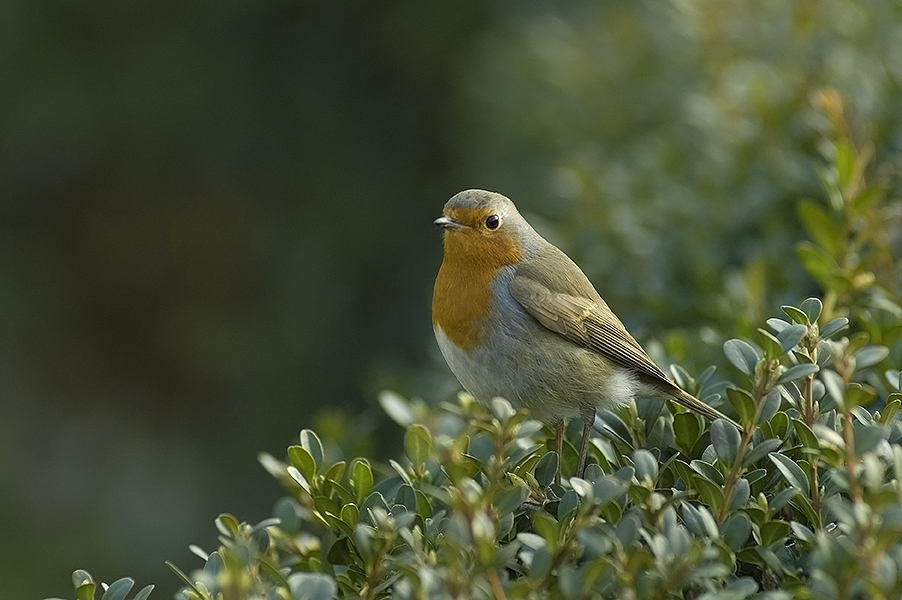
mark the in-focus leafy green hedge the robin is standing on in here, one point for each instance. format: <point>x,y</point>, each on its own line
<point>804,502</point>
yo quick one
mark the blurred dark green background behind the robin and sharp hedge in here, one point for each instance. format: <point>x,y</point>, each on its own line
<point>215,221</point>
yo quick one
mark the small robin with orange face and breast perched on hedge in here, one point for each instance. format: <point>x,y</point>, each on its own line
<point>515,317</point>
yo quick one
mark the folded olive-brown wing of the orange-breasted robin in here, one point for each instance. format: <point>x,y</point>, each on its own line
<point>586,322</point>
